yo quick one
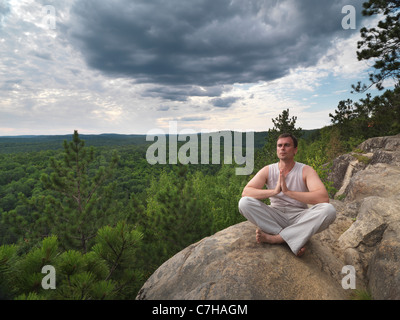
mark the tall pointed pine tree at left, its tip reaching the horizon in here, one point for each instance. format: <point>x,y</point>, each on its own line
<point>81,203</point>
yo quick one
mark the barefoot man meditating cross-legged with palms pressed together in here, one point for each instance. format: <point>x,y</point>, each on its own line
<point>291,187</point>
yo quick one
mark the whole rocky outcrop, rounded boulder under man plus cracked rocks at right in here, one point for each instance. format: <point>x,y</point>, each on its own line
<point>366,235</point>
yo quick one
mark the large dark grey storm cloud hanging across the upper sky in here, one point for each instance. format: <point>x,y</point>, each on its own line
<point>204,42</point>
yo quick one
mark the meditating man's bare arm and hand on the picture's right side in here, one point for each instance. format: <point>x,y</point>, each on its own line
<point>317,191</point>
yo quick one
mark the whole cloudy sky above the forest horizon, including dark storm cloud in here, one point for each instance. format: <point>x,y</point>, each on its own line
<point>131,66</point>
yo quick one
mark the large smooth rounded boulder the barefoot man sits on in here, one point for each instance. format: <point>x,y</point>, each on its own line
<point>231,265</point>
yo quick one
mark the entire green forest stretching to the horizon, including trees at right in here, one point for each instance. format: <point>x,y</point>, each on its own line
<point>95,209</point>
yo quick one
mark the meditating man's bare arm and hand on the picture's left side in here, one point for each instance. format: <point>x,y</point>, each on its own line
<point>255,187</point>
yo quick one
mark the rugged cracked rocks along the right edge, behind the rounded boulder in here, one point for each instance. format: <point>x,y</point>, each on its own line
<point>370,193</point>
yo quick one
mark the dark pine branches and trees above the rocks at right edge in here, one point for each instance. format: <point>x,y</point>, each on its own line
<point>378,116</point>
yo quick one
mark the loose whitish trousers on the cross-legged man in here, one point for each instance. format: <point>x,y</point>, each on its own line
<point>295,225</point>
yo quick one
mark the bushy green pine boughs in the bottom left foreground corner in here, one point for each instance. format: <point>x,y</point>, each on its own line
<point>106,272</point>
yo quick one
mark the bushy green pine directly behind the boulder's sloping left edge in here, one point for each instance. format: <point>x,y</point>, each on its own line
<point>175,216</point>
